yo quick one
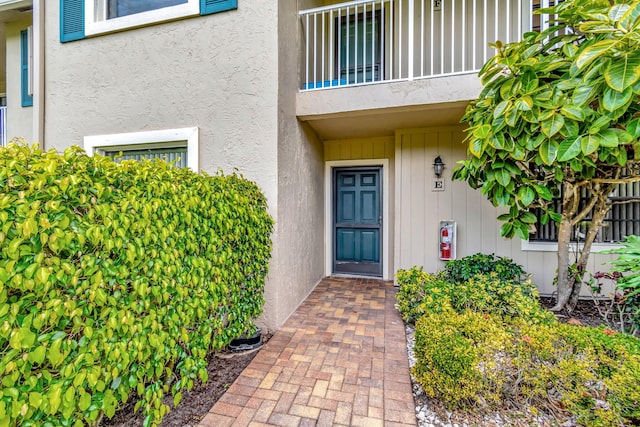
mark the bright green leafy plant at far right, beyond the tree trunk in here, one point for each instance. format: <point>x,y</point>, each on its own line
<point>628,263</point>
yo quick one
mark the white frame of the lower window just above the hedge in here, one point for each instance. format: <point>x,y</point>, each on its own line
<point>167,138</point>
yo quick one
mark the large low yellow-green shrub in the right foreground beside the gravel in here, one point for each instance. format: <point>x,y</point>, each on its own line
<point>477,360</point>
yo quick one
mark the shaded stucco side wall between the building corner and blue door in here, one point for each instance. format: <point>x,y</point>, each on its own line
<point>298,251</point>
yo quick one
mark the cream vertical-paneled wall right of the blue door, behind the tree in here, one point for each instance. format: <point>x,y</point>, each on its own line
<point>419,210</point>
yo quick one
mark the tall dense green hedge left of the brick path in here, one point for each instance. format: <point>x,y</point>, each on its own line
<point>117,281</point>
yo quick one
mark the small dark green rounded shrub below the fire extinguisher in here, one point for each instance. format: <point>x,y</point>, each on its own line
<point>463,269</point>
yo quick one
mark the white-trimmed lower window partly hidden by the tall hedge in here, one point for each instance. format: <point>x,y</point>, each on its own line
<point>179,146</point>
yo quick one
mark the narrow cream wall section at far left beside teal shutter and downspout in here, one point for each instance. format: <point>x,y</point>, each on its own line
<point>19,118</point>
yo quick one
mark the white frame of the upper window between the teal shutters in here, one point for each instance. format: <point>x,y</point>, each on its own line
<point>96,21</point>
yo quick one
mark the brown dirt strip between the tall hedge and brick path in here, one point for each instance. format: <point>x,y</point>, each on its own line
<point>223,369</point>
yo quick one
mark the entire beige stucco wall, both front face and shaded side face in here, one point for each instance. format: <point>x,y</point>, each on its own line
<point>221,73</point>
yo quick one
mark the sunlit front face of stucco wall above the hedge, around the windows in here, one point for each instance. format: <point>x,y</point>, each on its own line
<point>217,72</point>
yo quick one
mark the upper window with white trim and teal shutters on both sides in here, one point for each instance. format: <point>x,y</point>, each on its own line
<point>82,18</point>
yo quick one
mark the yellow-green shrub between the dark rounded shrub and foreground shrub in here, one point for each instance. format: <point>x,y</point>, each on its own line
<point>421,293</point>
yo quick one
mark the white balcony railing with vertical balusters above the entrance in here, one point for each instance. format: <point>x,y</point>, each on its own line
<point>371,41</point>
